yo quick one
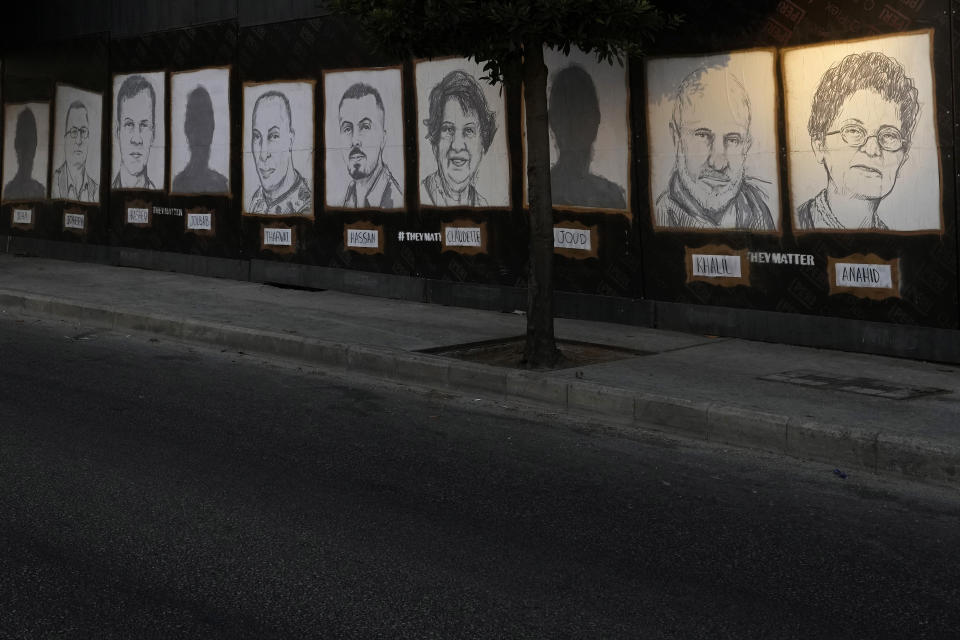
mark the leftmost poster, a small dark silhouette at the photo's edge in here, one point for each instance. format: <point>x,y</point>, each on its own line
<point>25,151</point>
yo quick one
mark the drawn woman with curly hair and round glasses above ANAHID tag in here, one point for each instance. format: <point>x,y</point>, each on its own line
<point>863,115</point>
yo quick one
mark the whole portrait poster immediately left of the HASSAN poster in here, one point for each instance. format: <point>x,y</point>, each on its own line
<point>278,149</point>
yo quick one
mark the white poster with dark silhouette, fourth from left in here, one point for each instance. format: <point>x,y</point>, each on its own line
<point>200,132</point>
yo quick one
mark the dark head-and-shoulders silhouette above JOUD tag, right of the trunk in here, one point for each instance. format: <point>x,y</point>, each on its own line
<point>574,116</point>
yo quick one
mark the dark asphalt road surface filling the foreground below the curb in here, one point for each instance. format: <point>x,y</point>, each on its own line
<point>157,489</point>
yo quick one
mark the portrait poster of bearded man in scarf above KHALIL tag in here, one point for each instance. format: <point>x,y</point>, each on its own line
<point>712,131</point>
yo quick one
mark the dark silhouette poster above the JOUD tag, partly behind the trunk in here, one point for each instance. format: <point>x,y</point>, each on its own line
<point>587,104</point>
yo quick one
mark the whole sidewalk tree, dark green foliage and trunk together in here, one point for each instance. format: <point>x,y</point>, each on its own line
<point>507,37</point>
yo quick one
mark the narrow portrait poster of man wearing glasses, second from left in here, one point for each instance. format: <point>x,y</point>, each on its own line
<point>76,145</point>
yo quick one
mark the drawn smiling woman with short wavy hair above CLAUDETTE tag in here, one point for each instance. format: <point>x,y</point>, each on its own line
<point>460,128</point>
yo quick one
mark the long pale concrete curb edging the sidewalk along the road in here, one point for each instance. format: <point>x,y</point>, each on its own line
<point>737,426</point>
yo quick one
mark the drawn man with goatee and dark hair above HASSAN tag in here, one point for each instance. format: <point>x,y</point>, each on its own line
<point>363,135</point>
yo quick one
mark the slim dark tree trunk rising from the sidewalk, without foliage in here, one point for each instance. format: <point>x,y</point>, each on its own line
<point>541,348</point>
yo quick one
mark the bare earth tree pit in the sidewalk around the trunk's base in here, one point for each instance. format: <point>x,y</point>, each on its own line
<point>507,352</point>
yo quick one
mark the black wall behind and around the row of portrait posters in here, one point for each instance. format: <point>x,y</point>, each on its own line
<point>292,40</point>
